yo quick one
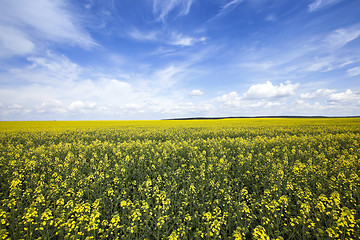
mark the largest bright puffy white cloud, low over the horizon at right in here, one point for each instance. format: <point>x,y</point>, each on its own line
<point>268,90</point>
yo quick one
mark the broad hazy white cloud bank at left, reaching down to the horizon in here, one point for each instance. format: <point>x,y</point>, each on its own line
<point>57,88</point>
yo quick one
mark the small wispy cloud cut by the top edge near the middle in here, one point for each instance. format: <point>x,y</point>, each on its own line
<point>162,8</point>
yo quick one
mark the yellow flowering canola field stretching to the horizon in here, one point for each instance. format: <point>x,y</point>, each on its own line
<point>204,179</point>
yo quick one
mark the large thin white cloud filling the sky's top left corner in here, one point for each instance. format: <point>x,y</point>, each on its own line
<point>24,24</point>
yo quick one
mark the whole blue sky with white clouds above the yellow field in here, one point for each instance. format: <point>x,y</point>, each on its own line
<point>154,59</point>
